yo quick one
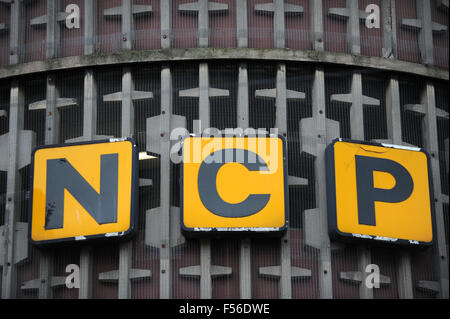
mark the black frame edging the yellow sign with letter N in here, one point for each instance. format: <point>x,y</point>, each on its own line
<point>134,207</point>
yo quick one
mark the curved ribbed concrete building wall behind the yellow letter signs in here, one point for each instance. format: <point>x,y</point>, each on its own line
<point>57,85</point>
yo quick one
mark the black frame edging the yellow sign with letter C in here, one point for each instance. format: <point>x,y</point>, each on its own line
<point>229,232</point>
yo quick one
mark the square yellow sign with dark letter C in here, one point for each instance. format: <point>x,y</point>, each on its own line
<point>233,184</point>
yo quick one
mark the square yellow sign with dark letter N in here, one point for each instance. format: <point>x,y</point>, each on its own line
<point>83,191</point>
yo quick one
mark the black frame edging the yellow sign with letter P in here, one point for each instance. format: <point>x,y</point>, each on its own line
<point>336,234</point>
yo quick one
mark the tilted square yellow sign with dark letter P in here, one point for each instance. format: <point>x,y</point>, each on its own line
<point>379,192</point>
